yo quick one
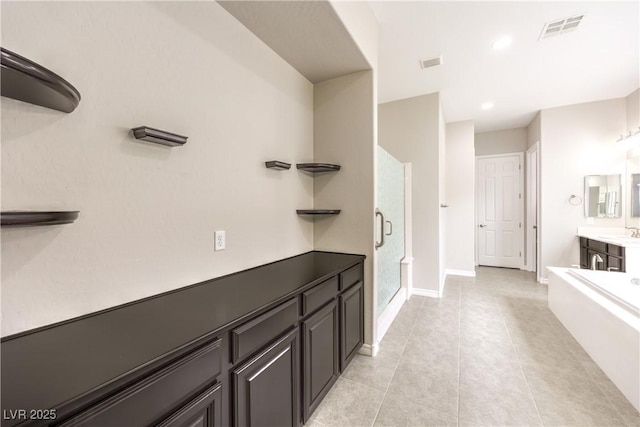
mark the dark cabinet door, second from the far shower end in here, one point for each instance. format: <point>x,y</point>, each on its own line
<point>320,346</point>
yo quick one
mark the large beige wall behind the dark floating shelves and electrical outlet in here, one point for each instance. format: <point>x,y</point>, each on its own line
<point>148,212</point>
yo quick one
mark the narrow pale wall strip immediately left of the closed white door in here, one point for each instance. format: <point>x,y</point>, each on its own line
<point>460,181</point>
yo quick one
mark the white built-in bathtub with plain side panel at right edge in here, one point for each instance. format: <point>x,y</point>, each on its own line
<point>602,312</point>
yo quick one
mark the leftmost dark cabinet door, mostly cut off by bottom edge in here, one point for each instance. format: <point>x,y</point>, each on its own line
<point>203,411</point>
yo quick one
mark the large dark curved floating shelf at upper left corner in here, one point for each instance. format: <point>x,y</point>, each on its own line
<point>27,81</point>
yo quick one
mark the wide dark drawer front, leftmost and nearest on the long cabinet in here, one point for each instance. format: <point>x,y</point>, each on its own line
<point>150,399</point>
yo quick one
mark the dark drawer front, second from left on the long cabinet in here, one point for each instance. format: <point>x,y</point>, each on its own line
<point>252,335</point>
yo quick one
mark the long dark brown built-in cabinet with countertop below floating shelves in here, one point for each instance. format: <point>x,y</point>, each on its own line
<point>256,348</point>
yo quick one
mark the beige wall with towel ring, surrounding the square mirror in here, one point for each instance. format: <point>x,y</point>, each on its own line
<point>576,141</point>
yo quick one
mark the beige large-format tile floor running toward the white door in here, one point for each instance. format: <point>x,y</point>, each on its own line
<point>490,353</point>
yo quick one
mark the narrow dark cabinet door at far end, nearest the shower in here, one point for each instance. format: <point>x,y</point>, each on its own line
<point>351,323</point>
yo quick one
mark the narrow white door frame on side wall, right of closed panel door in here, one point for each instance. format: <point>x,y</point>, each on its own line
<point>533,235</point>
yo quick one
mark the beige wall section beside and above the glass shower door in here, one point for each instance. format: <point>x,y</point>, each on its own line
<point>409,130</point>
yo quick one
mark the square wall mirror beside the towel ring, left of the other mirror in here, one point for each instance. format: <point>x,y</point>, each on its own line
<point>603,196</point>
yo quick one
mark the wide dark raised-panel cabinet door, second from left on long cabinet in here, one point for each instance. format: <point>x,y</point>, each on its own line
<point>266,388</point>
